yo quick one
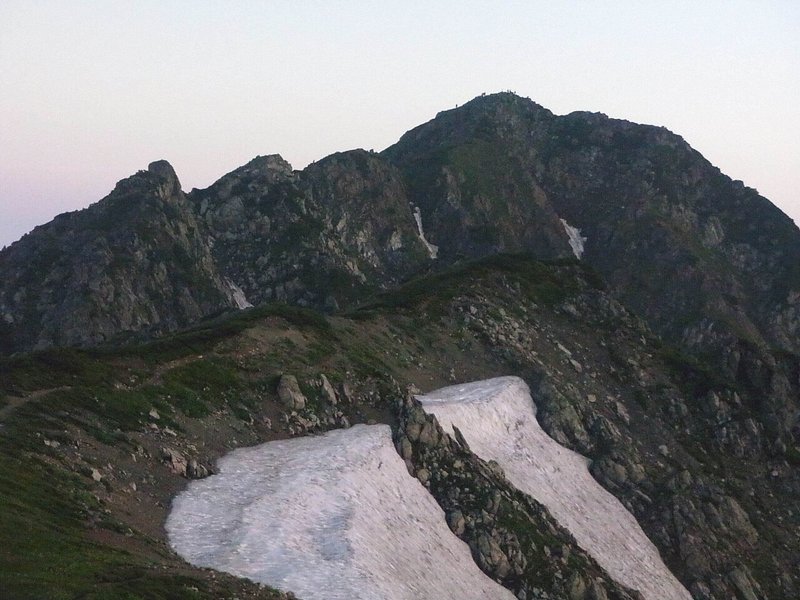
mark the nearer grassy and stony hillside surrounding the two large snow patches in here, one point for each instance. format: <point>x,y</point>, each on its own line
<point>95,443</point>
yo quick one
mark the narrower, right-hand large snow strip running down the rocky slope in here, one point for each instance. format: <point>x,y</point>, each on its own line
<point>498,420</point>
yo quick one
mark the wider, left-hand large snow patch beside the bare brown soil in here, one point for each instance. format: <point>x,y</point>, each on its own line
<point>329,517</point>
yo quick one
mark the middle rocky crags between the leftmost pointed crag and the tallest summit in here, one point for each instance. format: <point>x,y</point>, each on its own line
<point>322,237</point>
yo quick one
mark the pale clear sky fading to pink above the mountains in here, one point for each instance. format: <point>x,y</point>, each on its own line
<point>92,91</point>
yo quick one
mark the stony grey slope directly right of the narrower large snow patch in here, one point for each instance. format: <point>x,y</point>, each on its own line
<point>656,426</point>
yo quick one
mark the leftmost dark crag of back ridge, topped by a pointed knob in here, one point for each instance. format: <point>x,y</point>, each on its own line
<point>136,260</point>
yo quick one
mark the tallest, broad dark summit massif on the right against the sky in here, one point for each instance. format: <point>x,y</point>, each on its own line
<point>659,221</point>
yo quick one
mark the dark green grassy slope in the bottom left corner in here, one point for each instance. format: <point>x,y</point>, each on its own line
<point>45,546</point>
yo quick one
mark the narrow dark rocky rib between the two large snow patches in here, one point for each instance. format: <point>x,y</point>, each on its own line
<point>512,537</point>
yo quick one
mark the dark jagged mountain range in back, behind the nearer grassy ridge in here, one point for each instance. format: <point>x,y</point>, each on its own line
<point>498,174</point>
